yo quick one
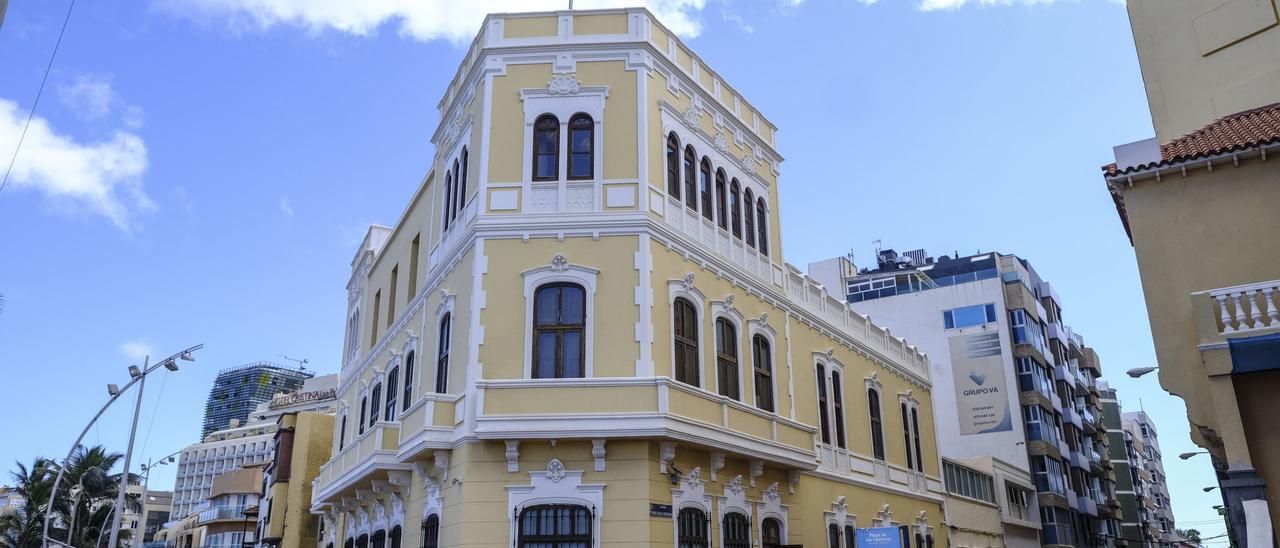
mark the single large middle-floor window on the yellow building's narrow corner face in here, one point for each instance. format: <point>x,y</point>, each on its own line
<point>560,323</point>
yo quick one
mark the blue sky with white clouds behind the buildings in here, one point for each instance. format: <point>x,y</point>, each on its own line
<point>202,172</point>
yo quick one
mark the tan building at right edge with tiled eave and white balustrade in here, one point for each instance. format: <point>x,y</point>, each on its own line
<point>1199,203</point>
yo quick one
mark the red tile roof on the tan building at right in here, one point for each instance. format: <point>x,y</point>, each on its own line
<point>1231,134</point>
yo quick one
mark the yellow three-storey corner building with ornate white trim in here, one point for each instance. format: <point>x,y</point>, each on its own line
<point>580,332</point>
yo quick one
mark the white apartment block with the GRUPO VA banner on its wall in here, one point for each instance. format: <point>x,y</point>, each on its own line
<point>1012,382</point>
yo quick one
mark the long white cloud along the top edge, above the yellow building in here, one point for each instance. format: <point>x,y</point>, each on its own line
<point>456,21</point>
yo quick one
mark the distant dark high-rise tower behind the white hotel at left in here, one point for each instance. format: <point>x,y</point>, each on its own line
<point>239,391</point>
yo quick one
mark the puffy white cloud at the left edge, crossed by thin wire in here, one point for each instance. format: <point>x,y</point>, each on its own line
<point>104,177</point>
